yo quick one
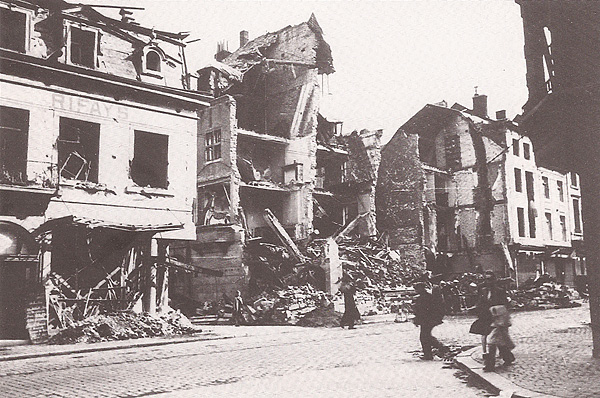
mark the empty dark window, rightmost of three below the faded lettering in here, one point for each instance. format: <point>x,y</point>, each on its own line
<point>149,167</point>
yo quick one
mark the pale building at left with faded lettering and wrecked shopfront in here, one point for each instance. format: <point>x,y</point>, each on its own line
<point>98,132</point>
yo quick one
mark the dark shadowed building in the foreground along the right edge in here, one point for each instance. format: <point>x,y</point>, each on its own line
<point>562,54</point>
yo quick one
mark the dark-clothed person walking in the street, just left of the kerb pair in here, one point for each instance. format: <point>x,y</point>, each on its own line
<point>427,316</point>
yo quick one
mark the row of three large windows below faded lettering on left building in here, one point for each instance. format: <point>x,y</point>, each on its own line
<point>78,151</point>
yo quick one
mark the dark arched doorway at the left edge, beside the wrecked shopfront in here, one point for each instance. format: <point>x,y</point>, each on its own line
<point>18,269</point>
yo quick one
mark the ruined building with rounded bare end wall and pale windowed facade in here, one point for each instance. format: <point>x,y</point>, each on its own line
<point>468,189</point>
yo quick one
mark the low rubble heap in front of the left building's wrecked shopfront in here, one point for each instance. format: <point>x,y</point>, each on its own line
<point>123,326</point>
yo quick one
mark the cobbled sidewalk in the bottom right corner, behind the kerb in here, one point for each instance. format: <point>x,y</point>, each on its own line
<point>554,359</point>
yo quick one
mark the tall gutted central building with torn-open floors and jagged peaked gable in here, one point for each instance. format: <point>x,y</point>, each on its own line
<point>264,144</point>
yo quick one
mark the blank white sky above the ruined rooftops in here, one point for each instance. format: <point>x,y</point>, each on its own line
<point>391,57</point>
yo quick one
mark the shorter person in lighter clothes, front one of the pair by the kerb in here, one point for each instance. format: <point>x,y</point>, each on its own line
<point>499,338</point>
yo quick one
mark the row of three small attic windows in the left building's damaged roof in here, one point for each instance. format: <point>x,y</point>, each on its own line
<point>82,43</point>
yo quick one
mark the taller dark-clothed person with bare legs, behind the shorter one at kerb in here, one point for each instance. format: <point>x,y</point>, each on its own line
<point>489,295</point>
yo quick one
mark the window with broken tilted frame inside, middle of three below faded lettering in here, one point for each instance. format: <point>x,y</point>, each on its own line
<point>78,146</point>
